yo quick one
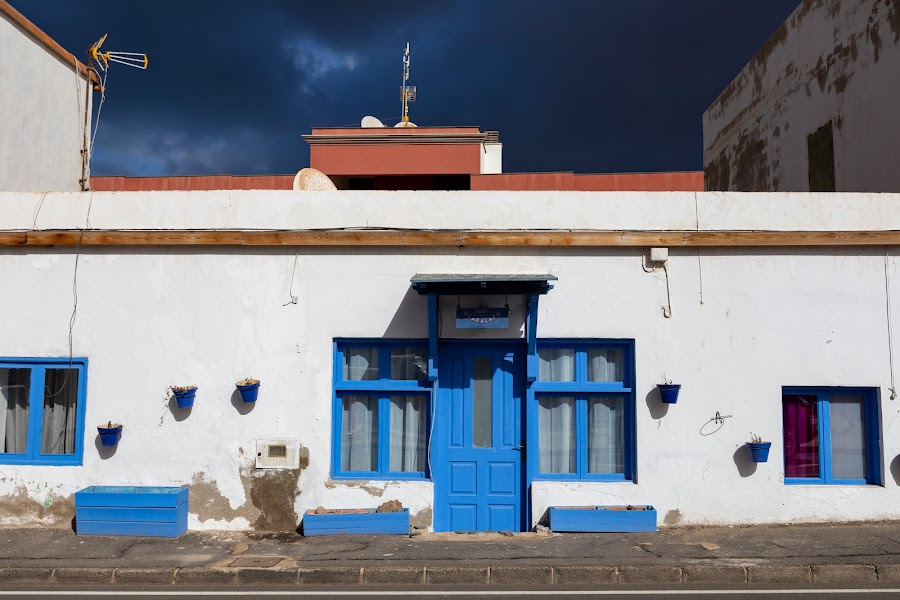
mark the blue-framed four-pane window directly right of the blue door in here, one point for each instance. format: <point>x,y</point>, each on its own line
<point>581,411</point>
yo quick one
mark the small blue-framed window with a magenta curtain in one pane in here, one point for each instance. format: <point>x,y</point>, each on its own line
<point>831,436</point>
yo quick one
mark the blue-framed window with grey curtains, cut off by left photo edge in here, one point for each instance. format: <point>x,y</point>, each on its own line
<point>42,404</point>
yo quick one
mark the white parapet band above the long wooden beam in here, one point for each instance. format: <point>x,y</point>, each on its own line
<point>515,211</point>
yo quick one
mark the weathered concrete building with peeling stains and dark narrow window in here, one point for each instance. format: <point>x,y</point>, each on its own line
<point>816,107</point>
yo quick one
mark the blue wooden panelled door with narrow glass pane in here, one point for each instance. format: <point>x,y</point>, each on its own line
<point>477,446</point>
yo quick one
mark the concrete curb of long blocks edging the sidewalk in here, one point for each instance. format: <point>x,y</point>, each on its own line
<point>500,575</point>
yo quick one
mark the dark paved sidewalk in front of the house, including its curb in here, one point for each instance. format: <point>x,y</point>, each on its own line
<point>844,553</point>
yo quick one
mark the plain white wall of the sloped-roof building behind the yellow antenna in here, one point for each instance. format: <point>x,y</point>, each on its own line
<point>41,116</point>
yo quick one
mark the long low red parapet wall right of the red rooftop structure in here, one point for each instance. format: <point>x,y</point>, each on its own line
<point>615,182</point>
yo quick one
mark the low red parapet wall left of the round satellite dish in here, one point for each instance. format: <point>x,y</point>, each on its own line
<point>191,183</point>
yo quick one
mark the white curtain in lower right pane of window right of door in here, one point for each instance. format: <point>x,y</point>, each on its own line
<point>606,444</point>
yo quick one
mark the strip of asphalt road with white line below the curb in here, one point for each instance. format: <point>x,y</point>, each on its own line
<point>455,592</point>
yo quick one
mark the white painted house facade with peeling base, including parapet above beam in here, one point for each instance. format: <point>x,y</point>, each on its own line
<point>151,318</point>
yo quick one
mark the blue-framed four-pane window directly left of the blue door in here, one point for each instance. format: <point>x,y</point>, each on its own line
<point>381,409</point>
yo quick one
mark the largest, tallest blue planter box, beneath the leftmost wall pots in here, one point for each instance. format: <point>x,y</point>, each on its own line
<point>128,510</point>
